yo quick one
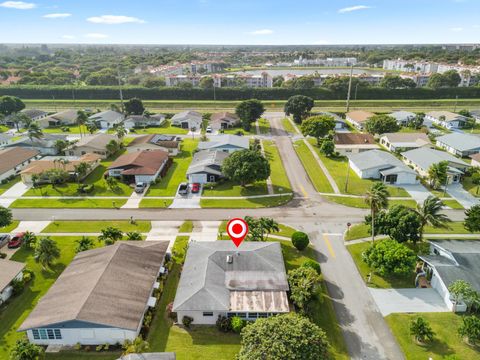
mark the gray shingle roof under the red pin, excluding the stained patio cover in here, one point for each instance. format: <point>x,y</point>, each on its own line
<point>207,279</point>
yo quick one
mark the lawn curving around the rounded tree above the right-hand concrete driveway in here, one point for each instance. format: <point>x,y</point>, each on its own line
<point>377,281</point>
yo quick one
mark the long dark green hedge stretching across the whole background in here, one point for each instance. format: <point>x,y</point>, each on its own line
<point>170,93</point>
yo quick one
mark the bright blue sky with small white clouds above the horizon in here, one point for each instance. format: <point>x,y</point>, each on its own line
<point>240,21</point>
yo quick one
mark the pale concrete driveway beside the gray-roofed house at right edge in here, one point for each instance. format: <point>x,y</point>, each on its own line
<point>408,300</point>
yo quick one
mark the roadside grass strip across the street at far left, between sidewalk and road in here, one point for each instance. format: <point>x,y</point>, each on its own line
<point>67,203</point>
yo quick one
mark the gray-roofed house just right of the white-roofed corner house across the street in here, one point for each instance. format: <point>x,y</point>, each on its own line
<point>422,158</point>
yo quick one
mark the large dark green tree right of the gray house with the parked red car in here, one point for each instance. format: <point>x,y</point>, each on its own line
<point>246,167</point>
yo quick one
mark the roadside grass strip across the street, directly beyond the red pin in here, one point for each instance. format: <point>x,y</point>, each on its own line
<point>245,203</point>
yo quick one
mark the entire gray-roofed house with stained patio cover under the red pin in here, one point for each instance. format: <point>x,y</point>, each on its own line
<point>219,279</point>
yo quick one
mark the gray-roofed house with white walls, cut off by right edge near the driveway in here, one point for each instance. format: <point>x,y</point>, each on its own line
<point>451,260</point>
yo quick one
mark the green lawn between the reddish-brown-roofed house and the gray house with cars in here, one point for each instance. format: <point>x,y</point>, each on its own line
<point>168,185</point>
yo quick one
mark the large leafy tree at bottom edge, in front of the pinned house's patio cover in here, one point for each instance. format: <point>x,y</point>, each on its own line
<point>295,338</point>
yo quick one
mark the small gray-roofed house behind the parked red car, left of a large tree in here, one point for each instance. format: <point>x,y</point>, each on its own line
<point>206,166</point>
